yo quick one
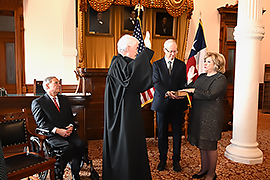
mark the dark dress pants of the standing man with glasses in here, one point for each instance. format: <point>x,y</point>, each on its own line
<point>176,118</point>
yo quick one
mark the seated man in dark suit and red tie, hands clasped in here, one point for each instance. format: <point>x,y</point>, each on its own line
<point>53,113</point>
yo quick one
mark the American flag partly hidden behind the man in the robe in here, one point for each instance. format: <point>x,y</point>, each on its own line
<point>147,96</point>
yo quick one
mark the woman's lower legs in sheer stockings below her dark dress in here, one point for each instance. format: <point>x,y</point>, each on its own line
<point>208,163</point>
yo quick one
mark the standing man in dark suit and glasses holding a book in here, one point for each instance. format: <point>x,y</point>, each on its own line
<point>169,75</point>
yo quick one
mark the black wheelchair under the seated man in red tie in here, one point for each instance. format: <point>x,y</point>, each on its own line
<point>57,154</point>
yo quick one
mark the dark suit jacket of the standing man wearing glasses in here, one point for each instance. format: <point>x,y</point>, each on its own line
<point>164,82</point>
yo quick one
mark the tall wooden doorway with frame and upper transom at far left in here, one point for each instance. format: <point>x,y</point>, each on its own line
<point>12,68</point>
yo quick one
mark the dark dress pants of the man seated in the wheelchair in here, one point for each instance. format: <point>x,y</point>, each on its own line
<point>73,149</point>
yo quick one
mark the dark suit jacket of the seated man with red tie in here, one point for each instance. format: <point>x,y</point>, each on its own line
<point>47,116</point>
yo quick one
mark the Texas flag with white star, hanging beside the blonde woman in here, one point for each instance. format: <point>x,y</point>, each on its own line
<point>197,52</point>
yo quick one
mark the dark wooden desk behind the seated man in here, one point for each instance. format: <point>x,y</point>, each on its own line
<point>79,104</point>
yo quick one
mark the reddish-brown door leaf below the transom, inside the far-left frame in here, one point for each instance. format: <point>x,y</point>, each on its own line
<point>7,61</point>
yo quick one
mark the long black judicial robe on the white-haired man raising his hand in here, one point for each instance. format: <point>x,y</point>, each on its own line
<point>124,146</point>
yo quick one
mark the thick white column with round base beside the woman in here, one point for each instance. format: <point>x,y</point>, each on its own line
<point>248,34</point>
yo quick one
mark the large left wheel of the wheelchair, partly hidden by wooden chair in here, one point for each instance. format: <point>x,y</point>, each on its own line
<point>35,143</point>
